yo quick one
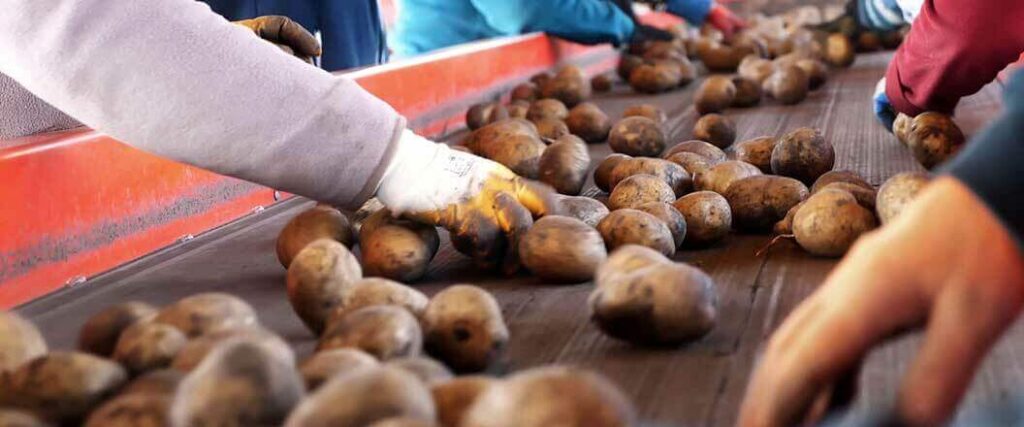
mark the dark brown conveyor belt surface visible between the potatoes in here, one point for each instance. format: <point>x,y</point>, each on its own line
<point>699,385</point>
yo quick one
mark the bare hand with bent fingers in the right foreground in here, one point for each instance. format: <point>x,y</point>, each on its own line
<point>957,276</point>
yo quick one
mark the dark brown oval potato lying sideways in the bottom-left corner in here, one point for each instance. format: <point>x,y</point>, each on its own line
<point>62,387</point>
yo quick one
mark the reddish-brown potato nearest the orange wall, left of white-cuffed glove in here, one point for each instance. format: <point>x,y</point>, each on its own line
<point>322,222</point>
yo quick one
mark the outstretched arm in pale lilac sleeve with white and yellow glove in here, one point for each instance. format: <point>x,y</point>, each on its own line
<point>174,78</point>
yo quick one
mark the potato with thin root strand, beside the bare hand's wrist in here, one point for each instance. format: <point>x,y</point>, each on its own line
<point>830,223</point>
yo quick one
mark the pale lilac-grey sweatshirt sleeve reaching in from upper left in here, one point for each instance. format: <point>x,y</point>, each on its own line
<point>176,79</point>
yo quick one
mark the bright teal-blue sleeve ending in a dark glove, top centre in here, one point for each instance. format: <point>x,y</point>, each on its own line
<point>588,22</point>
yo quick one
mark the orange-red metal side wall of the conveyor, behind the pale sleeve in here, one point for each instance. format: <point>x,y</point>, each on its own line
<point>76,204</point>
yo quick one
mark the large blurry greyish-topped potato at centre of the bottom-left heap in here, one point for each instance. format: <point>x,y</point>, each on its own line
<point>241,383</point>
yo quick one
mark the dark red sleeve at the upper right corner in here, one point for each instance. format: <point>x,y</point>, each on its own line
<point>954,50</point>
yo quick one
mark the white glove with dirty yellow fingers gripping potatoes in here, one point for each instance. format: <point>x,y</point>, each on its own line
<point>484,205</point>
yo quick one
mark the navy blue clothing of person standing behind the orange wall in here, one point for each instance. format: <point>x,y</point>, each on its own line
<point>351,30</point>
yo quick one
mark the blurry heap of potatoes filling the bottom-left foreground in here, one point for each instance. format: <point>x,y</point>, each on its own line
<point>206,361</point>
